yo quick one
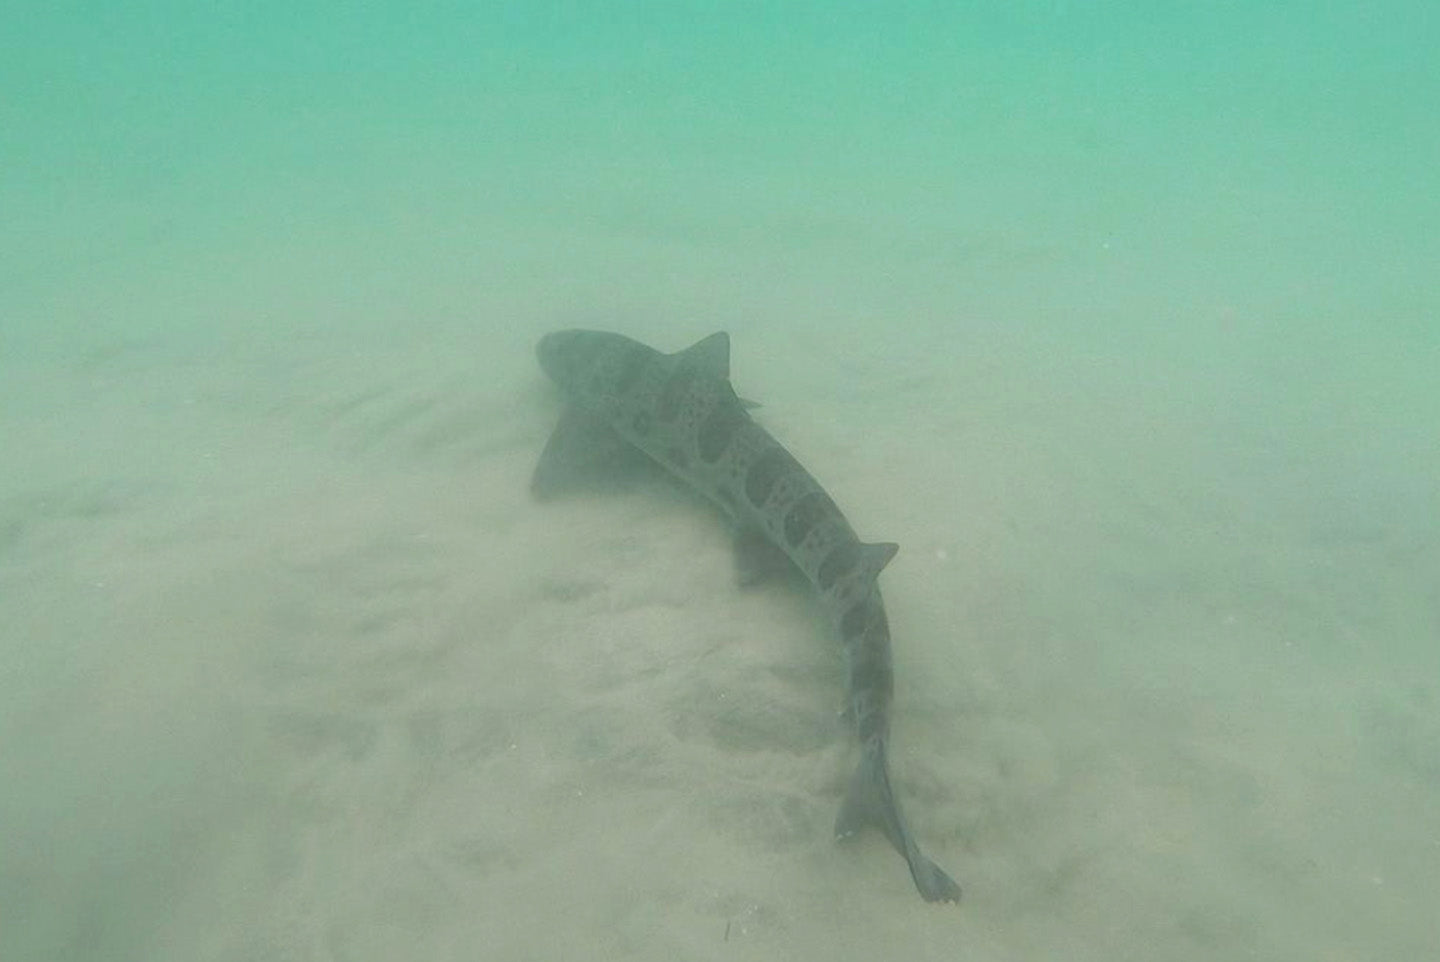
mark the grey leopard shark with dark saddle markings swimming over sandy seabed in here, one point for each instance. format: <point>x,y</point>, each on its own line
<point>682,413</point>
